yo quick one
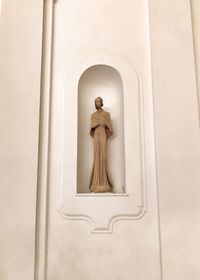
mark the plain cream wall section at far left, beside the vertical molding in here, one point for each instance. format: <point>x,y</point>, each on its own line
<point>20,60</point>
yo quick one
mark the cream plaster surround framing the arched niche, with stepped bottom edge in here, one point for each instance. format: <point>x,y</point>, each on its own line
<point>101,211</point>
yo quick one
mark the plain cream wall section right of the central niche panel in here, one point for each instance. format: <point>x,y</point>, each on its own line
<point>177,138</point>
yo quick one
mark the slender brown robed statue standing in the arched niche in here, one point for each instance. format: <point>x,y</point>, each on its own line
<point>101,130</point>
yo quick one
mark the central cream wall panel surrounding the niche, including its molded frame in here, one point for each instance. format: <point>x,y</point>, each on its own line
<point>114,33</point>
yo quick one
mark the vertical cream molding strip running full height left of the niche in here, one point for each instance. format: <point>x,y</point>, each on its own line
<point>41,226</point>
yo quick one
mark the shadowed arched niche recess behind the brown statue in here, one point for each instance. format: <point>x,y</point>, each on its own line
<point>104,81</point>
